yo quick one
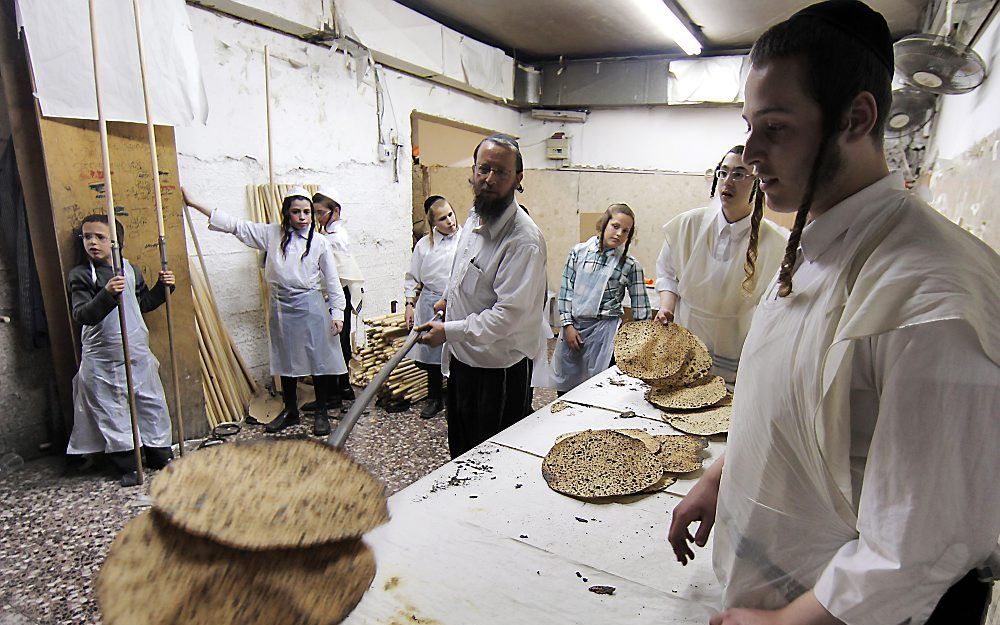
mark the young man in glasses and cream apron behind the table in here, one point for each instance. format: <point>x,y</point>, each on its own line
<point>716,261</point>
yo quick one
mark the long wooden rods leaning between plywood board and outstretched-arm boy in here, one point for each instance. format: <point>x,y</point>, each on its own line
<point>226,379</point>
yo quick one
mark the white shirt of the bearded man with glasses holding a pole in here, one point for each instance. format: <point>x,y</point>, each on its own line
<point>496,291</point>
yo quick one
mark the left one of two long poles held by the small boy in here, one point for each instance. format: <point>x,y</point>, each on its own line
<point>116,259</point>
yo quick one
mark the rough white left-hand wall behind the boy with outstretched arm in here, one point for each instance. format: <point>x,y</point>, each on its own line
<point>324,130</point>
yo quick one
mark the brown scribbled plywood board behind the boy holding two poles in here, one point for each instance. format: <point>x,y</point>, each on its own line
<point>72,157</point>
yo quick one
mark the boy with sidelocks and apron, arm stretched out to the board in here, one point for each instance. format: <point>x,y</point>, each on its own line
<point>298,267</point>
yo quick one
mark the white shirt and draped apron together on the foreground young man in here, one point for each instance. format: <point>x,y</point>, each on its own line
<point>862,458</point>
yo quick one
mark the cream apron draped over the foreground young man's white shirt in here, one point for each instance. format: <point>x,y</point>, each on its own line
<point>786,502</point>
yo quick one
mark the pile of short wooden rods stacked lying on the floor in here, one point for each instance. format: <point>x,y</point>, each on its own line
<point>385,336</point>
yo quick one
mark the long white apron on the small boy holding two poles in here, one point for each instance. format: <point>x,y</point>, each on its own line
<point>101,420</point>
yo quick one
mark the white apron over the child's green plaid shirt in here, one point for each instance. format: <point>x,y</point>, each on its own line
<point>570,367</point>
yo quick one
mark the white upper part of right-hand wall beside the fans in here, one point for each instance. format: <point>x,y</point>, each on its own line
<point>965,119</point>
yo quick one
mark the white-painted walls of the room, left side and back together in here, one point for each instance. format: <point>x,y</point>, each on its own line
<point>324,127</point>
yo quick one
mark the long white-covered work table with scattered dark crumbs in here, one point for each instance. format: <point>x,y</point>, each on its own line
<point>483,540</point>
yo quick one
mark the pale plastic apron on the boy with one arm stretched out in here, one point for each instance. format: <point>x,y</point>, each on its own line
<point>302,342</point>
